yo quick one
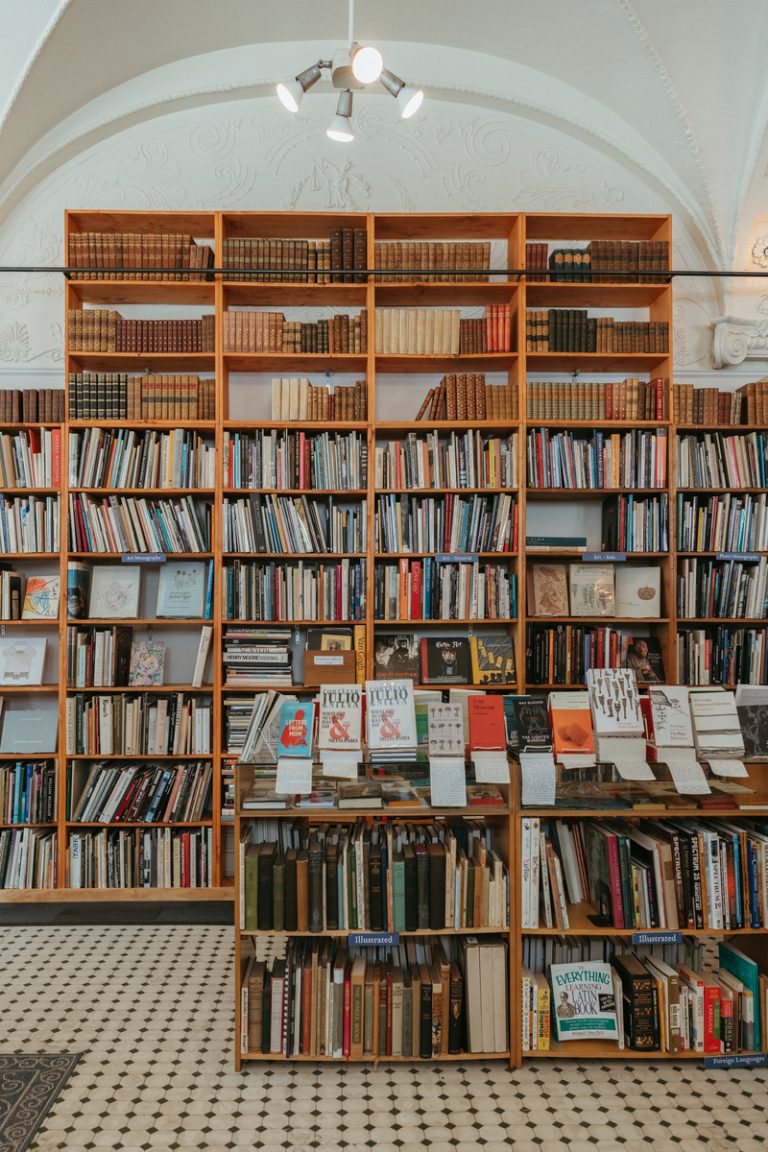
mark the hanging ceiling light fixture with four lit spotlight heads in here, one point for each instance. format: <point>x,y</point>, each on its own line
<point>352,71</point>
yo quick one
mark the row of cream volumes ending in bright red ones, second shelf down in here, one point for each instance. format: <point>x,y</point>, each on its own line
<point>442,331</point>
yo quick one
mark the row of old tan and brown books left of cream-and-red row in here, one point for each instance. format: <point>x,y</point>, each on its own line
<point>271,332</point>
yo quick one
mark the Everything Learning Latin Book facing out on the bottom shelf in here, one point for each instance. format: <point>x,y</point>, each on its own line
<point>584,1007</point>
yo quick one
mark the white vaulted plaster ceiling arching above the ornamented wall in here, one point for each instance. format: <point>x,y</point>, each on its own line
<point>674,89</point>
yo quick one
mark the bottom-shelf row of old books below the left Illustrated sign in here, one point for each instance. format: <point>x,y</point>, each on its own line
<point>422,999</point>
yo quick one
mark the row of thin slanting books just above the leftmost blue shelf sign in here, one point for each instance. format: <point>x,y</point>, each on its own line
<point>136,525</point>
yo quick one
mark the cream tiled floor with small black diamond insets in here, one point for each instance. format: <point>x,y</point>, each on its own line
<point>151,1010</point>
